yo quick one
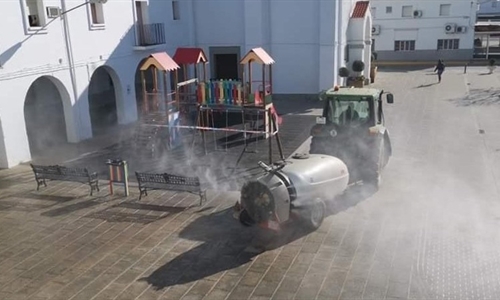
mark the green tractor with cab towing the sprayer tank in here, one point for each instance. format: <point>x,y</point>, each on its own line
<point>352,129</point>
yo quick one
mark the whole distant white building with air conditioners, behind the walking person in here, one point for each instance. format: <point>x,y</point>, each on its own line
<point>423,30</point>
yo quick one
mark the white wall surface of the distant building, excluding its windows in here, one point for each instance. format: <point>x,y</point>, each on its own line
<point>426,29</point>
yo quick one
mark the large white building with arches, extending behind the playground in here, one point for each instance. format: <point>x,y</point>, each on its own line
<point>68,78</point>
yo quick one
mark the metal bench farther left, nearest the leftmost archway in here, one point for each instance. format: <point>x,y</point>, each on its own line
<point>62,173</point>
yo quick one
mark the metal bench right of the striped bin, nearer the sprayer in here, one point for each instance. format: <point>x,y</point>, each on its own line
<point>149,181</point>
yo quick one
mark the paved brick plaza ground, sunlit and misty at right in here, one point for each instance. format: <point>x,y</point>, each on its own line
<point>430,232</point>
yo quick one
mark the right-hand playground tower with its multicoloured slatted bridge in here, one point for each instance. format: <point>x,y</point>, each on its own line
<point>225,97</point>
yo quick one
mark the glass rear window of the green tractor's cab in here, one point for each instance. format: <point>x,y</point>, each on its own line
<point>349,110</point>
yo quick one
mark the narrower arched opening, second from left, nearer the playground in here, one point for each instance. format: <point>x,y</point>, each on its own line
<point>102,101</point>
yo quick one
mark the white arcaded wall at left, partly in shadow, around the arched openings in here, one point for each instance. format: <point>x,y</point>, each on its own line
<point>27,55</point>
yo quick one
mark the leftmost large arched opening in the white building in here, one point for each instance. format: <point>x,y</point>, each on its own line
<point>44,117</point>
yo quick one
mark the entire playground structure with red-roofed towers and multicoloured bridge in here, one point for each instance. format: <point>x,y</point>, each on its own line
<point>195,104</point>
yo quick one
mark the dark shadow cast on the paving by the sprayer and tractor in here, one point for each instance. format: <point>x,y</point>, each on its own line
<point>226,241</point>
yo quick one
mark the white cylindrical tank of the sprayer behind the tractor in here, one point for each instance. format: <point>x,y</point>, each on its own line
<point>316,176</point>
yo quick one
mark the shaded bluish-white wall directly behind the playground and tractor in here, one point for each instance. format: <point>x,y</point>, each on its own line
<point>301,36</point>
